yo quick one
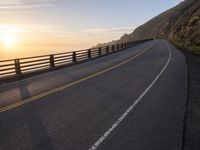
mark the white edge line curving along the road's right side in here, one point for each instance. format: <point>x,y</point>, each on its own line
<point>124,115</point>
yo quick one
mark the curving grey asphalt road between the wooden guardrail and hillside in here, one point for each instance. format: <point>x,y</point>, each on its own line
<point>134,99</point>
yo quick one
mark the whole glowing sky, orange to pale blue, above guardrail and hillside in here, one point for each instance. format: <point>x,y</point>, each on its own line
<point>36,27</point>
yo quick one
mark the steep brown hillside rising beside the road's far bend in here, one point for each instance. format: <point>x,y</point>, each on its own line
<point>180,24</point>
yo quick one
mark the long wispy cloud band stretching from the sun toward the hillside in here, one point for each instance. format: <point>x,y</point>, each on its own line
<point>62,32</point>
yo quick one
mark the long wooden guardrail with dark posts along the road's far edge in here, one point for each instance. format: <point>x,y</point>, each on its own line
<point>30,64</point>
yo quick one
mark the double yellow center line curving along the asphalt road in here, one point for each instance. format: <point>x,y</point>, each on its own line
<point>37,97</point>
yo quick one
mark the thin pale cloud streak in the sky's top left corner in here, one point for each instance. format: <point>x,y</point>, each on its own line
<point>24,4</point>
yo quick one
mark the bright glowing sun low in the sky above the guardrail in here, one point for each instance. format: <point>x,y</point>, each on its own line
<point>8,40</point>
